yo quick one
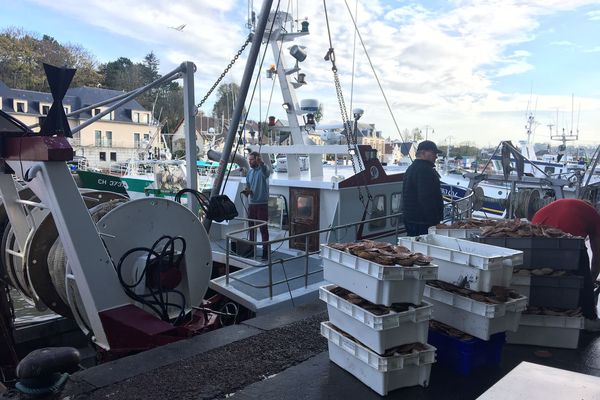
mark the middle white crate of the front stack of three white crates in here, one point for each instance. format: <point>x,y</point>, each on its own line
<point>378,332</point>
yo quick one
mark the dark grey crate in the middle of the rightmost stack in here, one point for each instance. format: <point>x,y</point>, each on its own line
<point>555,291</point>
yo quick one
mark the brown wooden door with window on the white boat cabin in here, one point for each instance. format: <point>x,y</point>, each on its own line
<point>304,217</point>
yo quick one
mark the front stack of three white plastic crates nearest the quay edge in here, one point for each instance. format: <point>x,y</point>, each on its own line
<point>370,334</point>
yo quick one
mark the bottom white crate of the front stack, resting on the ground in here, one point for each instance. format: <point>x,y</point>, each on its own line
<point>382,374</point>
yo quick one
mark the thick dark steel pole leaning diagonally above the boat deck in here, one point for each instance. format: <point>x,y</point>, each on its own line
<point>239,104</point>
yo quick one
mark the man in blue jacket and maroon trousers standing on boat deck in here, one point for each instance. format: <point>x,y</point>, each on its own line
<point>257,188</point>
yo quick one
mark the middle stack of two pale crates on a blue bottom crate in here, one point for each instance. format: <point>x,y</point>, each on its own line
<point>479,268</point>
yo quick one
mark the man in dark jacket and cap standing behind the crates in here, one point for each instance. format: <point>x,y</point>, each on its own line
<point>421,194</point>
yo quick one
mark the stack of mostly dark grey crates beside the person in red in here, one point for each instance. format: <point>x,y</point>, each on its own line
<point>548,278</point>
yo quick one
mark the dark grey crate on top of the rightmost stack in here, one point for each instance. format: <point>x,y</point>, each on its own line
<point>542,252</point>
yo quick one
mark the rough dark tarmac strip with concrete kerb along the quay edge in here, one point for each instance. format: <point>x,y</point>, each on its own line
<point>211,365</point>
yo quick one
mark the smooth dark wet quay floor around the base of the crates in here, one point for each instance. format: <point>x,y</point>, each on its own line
<point>319,378</point>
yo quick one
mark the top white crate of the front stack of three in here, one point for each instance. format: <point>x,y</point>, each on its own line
<point>379,284</point>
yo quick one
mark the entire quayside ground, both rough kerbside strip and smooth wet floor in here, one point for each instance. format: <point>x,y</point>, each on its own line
<point>283,356</point>
